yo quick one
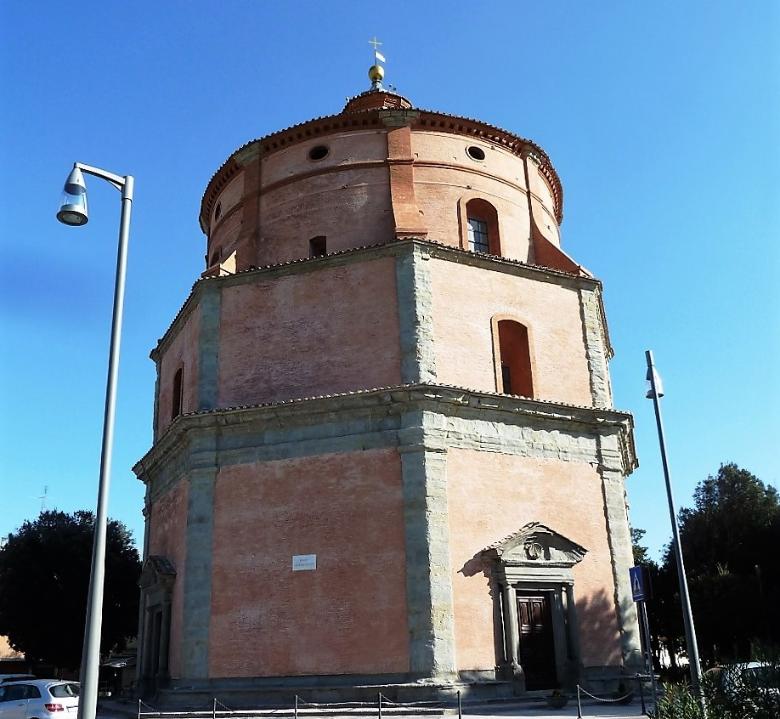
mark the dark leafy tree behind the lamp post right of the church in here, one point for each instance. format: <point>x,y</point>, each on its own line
<point>730,539</point>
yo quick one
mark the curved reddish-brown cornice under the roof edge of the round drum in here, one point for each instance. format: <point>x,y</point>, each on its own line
<point>420,120</point>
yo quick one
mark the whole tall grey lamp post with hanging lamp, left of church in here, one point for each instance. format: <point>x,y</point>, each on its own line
<point>73,211</point>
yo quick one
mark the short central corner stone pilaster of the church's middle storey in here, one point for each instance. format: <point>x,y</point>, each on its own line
<point>415,315</point>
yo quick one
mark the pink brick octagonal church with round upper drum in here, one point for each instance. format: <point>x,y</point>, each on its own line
<point>385,450</point>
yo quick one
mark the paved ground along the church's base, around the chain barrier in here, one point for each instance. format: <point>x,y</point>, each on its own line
<point>591,710</point>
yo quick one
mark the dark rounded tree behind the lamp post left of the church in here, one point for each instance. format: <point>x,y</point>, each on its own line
<point>44,578</point>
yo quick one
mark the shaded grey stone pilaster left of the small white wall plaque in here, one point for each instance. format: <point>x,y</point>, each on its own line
<point>198,563</point>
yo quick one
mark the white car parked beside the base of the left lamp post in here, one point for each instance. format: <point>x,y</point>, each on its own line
<point>39,699</point>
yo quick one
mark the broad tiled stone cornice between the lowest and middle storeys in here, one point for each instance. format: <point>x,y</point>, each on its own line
<point>465,404</point>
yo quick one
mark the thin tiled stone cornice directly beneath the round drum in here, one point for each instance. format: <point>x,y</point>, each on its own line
<point>372,252</point>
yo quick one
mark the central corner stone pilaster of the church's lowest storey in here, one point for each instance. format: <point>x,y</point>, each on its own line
<point>428,572</point>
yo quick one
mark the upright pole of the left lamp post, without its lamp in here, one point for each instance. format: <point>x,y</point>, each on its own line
<point>90,657</point>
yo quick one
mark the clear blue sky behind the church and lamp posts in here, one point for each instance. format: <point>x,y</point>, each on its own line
<point>662,119</point>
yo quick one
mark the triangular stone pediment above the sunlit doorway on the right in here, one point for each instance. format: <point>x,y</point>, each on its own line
<point>535,544</point>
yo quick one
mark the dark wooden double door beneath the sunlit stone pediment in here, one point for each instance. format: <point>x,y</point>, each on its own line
<point>537,642</point>
